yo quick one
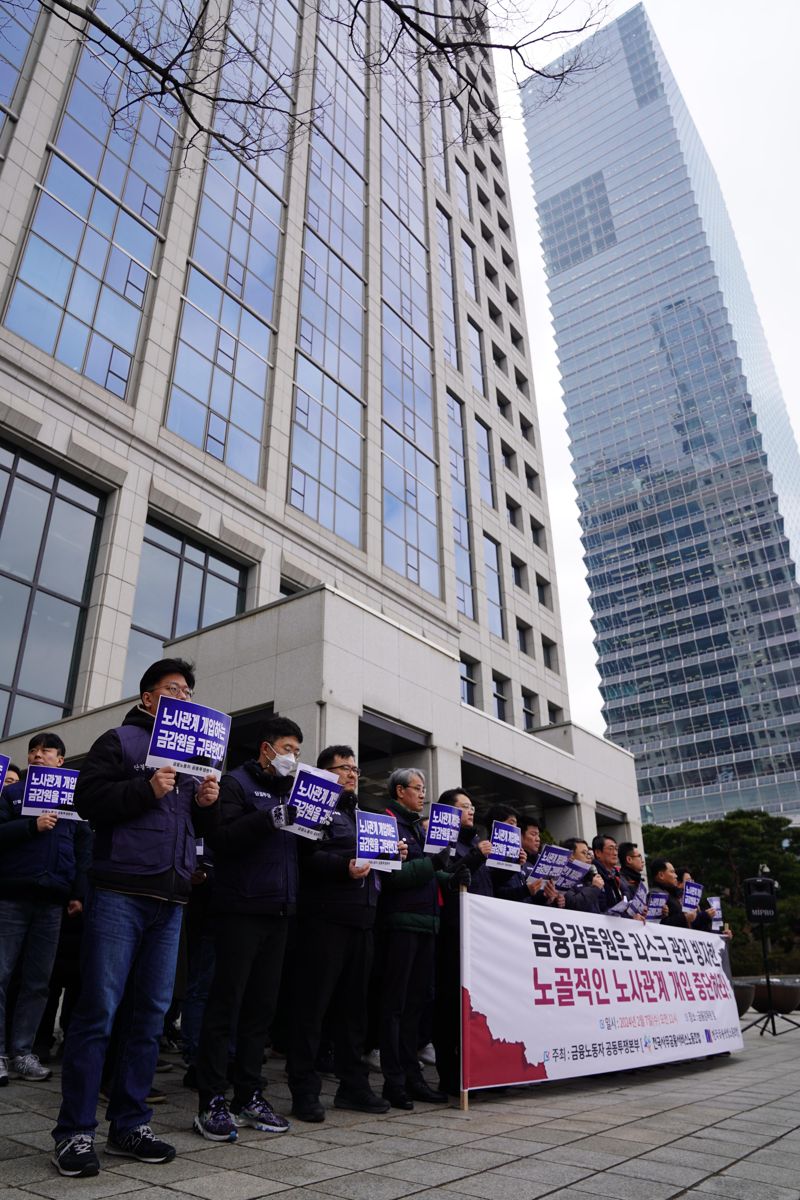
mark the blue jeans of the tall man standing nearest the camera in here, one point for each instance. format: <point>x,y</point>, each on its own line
<point>130,949</point>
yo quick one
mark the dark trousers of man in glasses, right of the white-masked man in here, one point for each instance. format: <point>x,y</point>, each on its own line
<point>332,977</point>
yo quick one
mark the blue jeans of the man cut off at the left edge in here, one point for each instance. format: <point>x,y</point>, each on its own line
<point>29,935</point>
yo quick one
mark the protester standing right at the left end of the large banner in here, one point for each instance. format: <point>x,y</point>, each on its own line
<point>470,860</point>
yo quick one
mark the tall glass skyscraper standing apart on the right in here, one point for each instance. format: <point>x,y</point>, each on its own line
<point>688,471</point>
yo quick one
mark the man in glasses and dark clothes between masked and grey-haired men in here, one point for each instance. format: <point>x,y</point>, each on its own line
<point>338,909</point>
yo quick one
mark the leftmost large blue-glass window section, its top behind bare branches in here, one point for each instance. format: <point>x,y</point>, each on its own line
<point>91,255</point>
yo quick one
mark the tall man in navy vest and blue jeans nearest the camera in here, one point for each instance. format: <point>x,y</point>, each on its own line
<point>147,824</point>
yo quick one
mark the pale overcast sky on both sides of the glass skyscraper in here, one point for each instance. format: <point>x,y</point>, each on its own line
<point>737,65</point>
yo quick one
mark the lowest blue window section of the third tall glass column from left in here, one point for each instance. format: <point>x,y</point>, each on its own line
<point>327,453</point>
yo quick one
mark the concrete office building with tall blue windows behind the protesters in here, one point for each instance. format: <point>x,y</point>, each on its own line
<point>279,417</point>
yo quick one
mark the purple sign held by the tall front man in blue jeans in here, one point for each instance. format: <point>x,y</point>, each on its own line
<point>189,737</point>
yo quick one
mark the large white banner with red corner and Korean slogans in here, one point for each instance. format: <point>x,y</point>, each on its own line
<point>554,995</point>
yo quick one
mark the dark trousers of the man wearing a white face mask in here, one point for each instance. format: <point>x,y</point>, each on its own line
<point>249,959</point>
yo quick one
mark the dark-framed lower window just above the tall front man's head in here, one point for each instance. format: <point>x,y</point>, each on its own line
<point>195,589</point>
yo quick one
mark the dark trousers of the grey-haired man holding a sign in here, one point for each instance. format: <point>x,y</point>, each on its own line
<point>407,989</point>
